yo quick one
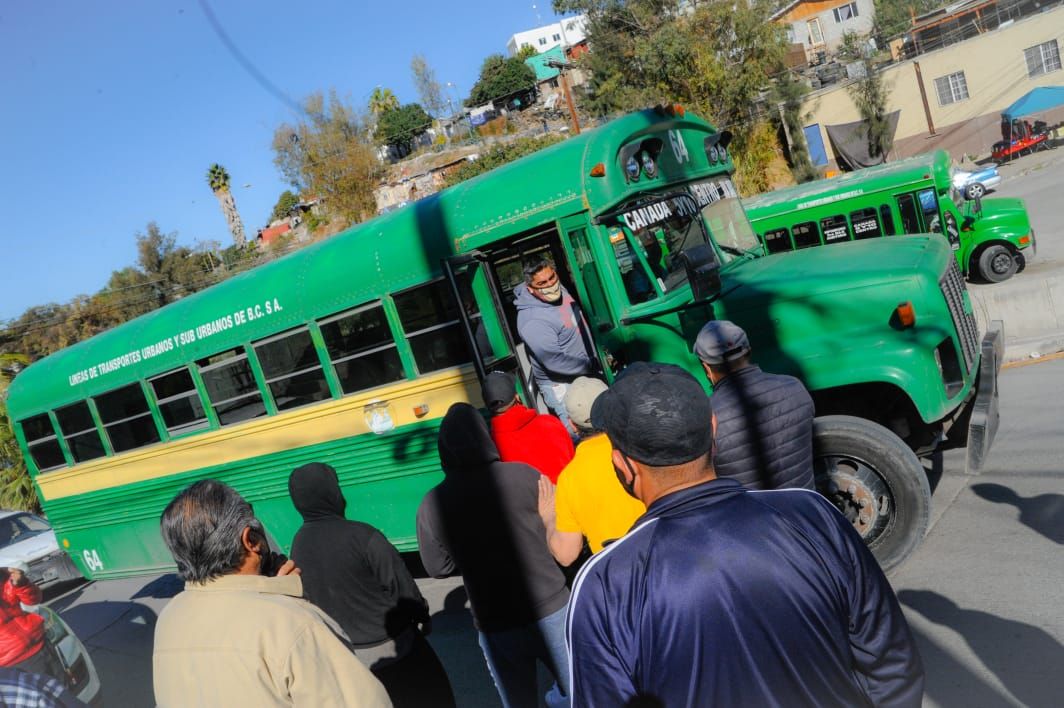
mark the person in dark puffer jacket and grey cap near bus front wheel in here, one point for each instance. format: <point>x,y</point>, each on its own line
<point>763,422</point>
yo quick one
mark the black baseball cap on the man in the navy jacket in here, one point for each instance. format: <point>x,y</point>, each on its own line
<point>656,414</point>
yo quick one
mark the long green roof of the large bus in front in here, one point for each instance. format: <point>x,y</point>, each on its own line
<point>385,255</point>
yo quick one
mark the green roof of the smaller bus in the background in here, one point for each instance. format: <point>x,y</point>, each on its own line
<point>891,175</point>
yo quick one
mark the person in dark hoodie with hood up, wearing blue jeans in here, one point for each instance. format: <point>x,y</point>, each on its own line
<point>484,521</point>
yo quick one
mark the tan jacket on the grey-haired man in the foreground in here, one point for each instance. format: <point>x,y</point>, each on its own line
<point>247,640</point>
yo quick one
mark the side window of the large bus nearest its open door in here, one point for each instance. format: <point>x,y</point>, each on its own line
<point>429,318</point>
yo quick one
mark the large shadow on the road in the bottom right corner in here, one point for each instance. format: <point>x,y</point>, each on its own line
<point>1025,658</point>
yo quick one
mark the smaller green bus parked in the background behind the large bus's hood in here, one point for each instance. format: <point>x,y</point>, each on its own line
<point>916,195</point>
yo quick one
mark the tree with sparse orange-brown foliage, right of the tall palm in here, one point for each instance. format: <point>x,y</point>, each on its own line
<point>329,155</point>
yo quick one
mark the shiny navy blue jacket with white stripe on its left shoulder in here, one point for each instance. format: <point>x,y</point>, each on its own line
<point>724,597</point>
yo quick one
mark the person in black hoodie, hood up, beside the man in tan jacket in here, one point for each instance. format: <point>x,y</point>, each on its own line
<point>352,572</point>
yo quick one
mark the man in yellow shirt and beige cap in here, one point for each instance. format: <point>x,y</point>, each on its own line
<point>589,501</point>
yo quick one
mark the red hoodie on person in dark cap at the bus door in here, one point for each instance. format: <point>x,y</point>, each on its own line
<point>542,441</point>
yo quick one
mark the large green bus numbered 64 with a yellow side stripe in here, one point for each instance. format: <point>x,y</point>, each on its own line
<point>351,351</point>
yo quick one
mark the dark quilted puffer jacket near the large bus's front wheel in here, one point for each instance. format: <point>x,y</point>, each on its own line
<point>764,436</point>
